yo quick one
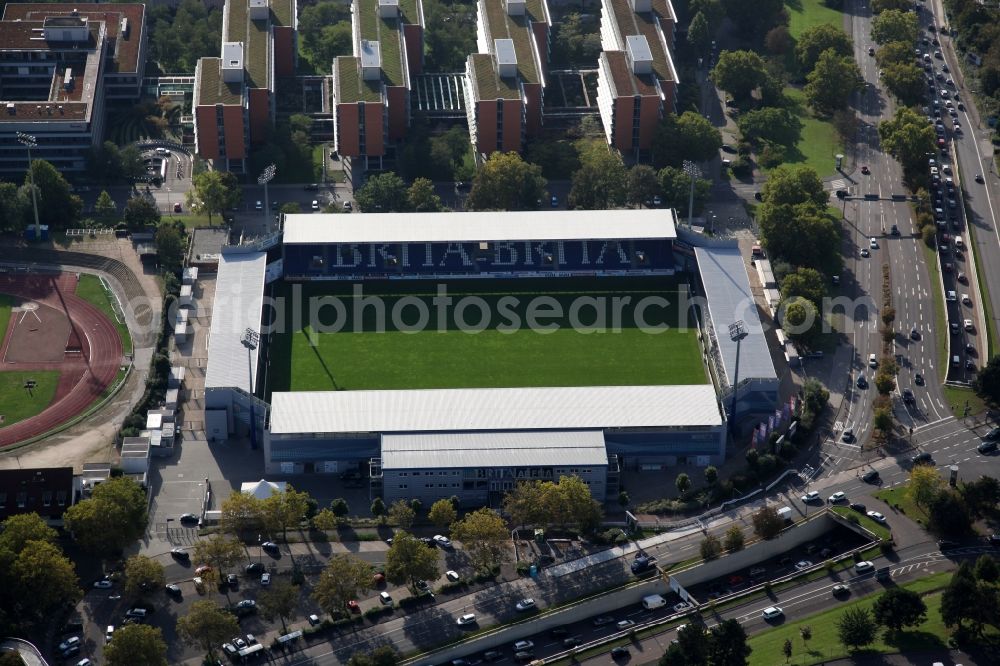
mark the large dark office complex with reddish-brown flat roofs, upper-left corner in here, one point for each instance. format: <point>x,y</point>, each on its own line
<point>58,64</point>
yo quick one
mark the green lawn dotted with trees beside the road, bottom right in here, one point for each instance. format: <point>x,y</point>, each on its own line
<point>824,644</point>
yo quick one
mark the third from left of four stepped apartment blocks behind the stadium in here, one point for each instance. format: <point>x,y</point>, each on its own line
<point>505,81</point>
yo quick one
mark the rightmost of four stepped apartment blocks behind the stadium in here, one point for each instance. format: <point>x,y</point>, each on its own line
<point>637,81</point>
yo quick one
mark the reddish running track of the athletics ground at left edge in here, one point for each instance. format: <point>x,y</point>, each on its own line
<point>84,376</point>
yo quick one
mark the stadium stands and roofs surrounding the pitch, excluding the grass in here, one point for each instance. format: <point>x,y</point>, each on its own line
<point>476,443</point>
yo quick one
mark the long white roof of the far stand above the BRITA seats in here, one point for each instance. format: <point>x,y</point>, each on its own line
<point>479,227</point>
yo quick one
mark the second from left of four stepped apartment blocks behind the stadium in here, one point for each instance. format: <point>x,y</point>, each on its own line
<point>371,88</point>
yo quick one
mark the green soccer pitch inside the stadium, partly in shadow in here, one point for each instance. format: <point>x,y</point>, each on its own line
<point>505,354</point>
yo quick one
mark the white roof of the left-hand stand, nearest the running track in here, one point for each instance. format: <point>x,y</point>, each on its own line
<point>239,297</point>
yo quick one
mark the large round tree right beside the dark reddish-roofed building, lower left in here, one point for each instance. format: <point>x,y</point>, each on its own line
<point>114,516</point>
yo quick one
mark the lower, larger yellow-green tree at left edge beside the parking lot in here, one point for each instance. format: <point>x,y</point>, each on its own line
<point>43,579</point>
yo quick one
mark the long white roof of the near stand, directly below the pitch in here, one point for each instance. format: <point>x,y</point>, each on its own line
<point>442,410</point>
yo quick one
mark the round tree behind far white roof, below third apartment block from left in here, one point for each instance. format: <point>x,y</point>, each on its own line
<point>506,182</point>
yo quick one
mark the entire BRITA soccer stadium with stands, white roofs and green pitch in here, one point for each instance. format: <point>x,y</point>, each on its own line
<point>455,354</point>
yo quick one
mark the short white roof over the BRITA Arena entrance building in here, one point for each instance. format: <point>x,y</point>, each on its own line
<point>493,449</point>
